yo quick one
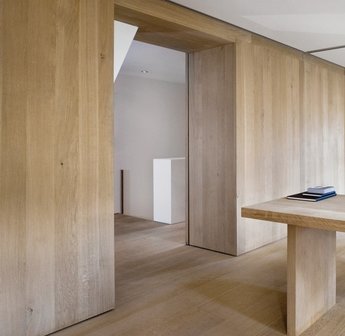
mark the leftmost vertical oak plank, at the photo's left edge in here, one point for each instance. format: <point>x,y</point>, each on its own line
<point>13,66</point>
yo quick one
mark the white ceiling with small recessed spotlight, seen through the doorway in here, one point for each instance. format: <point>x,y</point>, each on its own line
<point>161,63</point>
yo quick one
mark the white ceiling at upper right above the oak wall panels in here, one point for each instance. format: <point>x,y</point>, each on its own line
<point>307,25</point>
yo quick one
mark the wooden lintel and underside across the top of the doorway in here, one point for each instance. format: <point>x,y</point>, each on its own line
<point>169,25</point>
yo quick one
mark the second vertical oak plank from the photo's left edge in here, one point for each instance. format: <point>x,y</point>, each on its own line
<point>40,166</point>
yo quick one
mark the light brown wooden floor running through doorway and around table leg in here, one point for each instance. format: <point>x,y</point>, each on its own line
<point>166,288</point>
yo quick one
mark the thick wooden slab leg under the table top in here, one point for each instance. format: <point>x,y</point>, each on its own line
<point>311,276</point>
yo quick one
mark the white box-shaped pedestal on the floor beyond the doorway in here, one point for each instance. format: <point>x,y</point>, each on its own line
<point>169,190</point>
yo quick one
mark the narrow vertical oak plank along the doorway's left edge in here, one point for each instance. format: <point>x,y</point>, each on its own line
<point>105,161</point>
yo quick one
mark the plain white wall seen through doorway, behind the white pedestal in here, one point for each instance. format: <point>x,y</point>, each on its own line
<point>149,123</point>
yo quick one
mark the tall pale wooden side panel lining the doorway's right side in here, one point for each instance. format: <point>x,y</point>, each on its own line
<point>212,146</point>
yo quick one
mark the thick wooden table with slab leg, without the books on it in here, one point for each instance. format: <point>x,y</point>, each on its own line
<point>311,273</point>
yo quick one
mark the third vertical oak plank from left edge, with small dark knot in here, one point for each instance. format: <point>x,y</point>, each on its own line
<point>68,209</point>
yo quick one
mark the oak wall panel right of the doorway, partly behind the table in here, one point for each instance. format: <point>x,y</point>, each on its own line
<point>268,148</point>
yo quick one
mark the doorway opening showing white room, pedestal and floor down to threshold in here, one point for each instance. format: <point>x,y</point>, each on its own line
<point>150,103</point>
